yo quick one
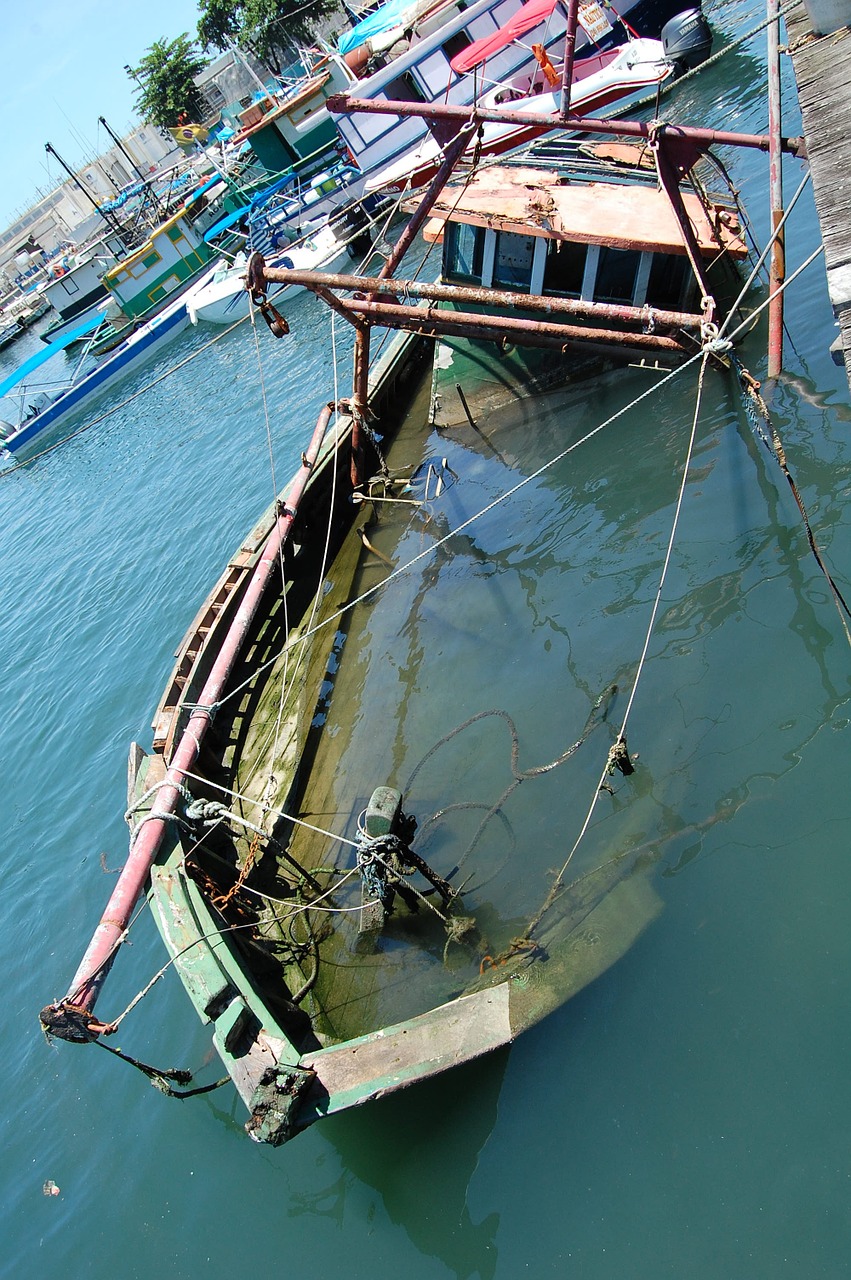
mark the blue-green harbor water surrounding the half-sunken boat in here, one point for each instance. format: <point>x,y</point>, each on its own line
<point>689,1113</point>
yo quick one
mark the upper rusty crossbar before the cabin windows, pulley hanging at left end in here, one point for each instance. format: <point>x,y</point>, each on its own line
<point>464,294</point>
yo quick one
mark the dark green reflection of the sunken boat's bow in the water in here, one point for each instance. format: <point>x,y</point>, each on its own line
<point>420,1150</point>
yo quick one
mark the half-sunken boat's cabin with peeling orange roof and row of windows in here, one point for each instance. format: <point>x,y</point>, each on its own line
<point>603,240</point>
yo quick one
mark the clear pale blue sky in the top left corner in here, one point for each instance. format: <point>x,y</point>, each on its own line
<point>63,66</point>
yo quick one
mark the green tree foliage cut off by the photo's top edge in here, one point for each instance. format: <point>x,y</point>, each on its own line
<point>269,29</point>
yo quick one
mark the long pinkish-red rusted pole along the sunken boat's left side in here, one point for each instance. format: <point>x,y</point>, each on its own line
<point>109,935</point>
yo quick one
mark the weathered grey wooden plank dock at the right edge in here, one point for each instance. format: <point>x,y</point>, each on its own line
<point>823,74</point>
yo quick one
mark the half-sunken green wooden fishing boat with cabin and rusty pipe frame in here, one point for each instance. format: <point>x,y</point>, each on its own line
<point>358,666</point>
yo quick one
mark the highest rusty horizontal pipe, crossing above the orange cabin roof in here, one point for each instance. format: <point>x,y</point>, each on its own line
<point>340,103</point>
